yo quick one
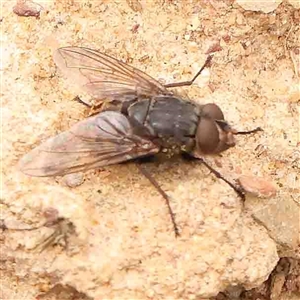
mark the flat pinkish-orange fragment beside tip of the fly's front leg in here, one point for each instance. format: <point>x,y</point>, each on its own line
<point>257,186</point>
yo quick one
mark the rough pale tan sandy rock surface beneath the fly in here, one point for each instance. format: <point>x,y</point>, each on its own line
<point>124,245</point>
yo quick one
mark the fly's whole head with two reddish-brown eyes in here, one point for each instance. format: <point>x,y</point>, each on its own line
<point>214,135</point>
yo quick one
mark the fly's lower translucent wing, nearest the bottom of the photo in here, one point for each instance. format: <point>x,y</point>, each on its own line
<point>98,141</point>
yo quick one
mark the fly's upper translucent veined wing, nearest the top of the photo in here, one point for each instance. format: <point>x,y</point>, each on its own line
<point>104,77</point>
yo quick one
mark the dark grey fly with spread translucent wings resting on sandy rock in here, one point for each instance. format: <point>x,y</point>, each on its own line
<point>146,118</point>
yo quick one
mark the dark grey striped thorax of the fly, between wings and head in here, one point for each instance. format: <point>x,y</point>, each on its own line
<point>166,116</point>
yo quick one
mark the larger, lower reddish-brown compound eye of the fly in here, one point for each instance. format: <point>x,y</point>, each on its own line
<point>207,136</point>
